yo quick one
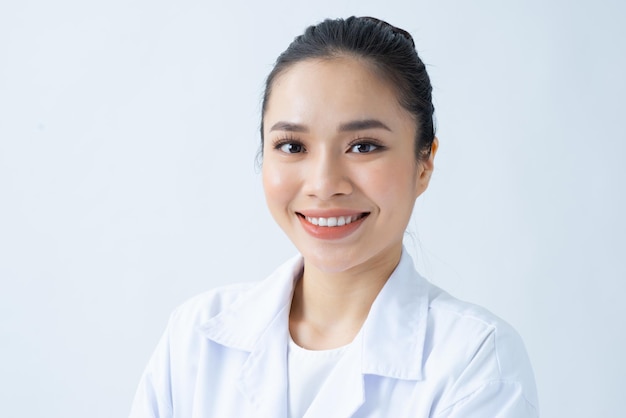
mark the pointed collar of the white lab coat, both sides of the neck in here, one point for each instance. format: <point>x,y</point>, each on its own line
<point>392,337</point>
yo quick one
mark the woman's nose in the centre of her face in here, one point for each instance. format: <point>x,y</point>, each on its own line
<point>327,176</point>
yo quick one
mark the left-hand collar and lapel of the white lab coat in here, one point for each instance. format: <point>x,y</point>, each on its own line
<point>258,323</point>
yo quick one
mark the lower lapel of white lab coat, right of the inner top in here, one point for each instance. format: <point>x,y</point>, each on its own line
<point>343,392</point>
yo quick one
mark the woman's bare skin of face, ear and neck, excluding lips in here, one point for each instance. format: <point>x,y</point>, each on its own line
<point>321,159</point>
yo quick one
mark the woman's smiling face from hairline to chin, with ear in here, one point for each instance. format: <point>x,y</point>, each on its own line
<point>339,168</point>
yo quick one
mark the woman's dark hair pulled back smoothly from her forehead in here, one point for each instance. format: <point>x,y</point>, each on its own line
<point>390,51</point>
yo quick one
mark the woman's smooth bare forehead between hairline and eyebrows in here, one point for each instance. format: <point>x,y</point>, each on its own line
<point>332,91</point>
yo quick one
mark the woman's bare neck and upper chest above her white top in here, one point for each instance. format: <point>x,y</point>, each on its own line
<point>329,308</point>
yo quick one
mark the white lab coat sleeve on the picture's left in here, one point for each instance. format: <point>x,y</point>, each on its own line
<point>153,398</point>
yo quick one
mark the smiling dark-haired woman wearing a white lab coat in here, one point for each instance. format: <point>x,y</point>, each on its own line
<point>348,328</point>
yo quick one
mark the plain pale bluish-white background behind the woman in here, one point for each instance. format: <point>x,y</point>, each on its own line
<point>128,136</point>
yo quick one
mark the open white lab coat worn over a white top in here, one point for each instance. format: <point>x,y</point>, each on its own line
<point>420,353</point>
